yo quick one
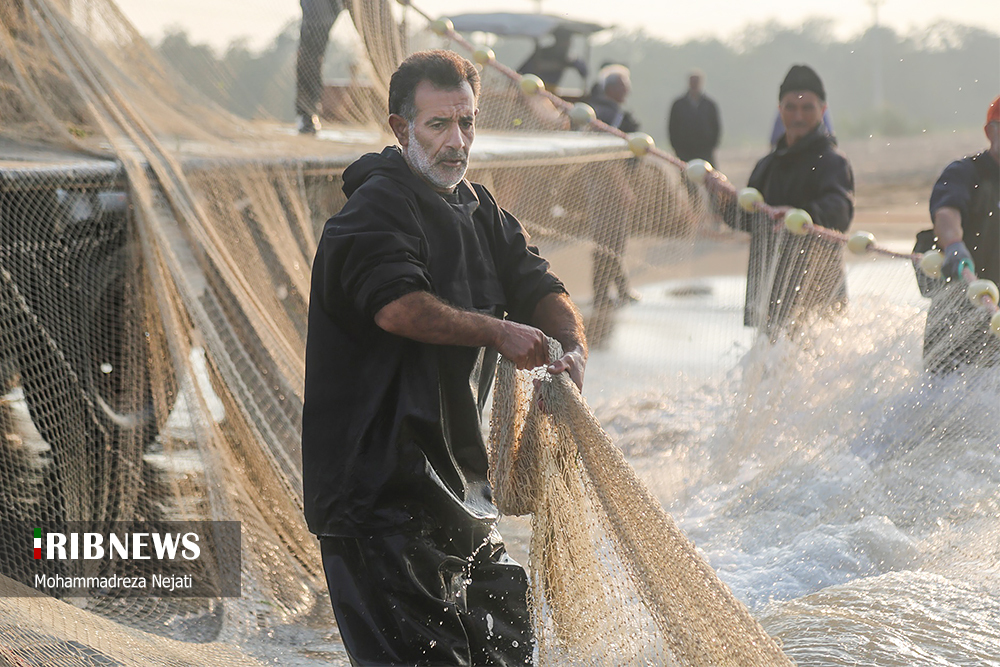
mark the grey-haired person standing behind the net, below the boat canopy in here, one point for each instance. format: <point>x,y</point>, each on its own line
<point>610,232</point>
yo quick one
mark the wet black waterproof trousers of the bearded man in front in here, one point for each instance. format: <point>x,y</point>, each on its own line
<point>416,600</point>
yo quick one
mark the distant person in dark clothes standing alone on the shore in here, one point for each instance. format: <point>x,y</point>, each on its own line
<point>693,125</point>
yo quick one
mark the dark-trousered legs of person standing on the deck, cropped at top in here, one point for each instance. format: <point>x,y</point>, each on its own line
<point>318,17</point>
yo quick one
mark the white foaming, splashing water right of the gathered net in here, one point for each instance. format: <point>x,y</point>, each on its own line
<point>845,495</point>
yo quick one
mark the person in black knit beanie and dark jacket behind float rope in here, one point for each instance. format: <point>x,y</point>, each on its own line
<point>791,277</point>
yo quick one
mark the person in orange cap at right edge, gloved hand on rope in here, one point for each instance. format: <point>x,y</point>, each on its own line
<point>965,209</point>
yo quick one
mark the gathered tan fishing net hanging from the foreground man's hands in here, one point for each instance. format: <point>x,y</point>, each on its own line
<point>614,580</point>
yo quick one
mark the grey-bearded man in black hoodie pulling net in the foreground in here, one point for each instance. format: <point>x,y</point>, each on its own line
<point>418,283</point>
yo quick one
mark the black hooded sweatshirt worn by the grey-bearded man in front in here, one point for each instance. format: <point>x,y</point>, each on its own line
<point>391,433</point>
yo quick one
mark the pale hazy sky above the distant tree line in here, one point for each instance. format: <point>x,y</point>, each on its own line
<point>218,22</point>
